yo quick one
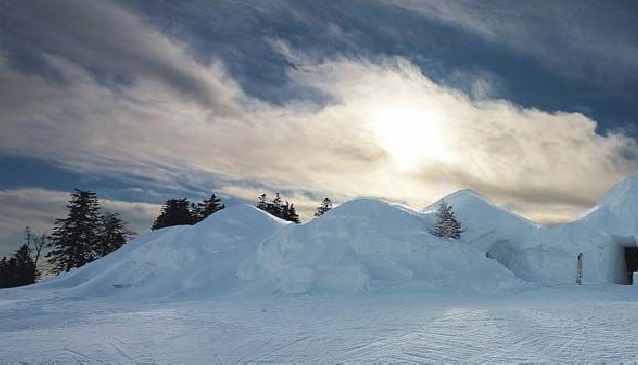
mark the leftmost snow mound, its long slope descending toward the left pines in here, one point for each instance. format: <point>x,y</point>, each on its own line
<point>179,262</point>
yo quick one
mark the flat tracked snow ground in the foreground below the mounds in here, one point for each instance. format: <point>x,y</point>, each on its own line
<point>553,324</point>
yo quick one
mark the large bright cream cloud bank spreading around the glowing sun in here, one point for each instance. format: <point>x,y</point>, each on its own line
<point>384,129</point>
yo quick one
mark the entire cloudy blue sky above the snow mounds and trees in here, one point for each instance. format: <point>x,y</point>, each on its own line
<point>531,104</point>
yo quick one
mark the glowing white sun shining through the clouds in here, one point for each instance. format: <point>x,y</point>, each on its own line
<point>411,135</point>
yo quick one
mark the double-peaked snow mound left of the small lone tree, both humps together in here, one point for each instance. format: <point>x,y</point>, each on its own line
<point>362,246</point>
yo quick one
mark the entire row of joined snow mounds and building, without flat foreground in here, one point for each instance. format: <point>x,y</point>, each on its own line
<point>364,246</point>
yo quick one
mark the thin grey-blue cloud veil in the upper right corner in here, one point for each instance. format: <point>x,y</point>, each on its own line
<point>582,39</point>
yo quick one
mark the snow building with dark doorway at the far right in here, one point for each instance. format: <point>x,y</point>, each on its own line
<point>598,248</point>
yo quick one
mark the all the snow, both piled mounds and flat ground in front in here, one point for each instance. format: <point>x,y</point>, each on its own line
<point>364,282</point>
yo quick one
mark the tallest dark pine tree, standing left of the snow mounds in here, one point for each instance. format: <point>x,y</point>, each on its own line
<point>74,238</point>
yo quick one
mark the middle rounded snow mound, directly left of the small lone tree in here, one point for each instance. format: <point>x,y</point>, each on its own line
<point>369,245</point>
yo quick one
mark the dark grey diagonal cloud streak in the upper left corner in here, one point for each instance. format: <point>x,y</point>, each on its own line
<point>111,42</point>
